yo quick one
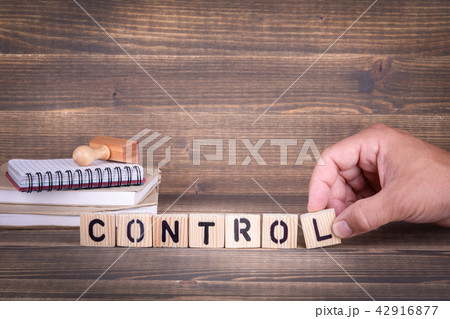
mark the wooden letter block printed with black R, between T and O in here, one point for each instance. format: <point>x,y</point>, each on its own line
<point>242,231</point>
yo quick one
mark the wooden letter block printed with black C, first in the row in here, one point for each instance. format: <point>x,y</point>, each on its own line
<point>98,229</point>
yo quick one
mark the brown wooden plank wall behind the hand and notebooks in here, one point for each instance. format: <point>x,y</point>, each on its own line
<point>64,81</point>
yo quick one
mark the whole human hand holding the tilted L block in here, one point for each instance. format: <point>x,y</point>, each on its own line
<point>382,175</point>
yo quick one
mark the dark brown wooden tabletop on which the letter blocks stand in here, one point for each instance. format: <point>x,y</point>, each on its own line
<point>399,261</point>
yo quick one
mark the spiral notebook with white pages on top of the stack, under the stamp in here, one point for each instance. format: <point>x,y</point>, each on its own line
<point>64,174</point>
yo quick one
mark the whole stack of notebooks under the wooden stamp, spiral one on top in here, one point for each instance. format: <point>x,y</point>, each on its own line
<point>56,191</point>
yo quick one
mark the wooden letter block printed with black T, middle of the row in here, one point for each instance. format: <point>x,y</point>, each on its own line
<point>207,230</point>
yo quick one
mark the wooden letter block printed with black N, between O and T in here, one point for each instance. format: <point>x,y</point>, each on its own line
<point>170,230</point>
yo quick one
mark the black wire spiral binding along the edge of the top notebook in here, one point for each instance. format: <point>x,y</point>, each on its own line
<point>79,175</point>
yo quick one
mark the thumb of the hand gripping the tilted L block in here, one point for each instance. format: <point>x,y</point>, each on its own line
<point>364,215</point>
